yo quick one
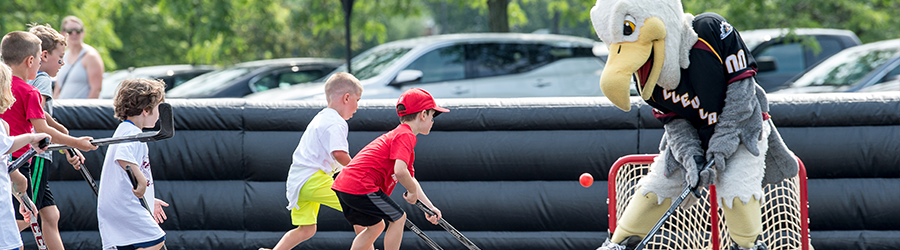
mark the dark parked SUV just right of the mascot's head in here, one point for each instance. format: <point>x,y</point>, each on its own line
<point>780,56</point>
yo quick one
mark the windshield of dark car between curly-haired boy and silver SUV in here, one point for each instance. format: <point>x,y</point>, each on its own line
<point>208,83</point>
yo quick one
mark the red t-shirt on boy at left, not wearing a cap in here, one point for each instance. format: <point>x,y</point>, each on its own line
<point>27,106</point>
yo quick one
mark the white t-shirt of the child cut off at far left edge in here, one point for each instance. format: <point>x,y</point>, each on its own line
<point>9,232</point>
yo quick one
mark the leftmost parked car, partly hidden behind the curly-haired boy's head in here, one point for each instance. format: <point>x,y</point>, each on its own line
<point>172,75</point>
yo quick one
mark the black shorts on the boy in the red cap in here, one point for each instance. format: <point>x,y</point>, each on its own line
<point>369,209</point>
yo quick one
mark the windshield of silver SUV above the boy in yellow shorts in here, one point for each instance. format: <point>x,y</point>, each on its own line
<point>372,64</point>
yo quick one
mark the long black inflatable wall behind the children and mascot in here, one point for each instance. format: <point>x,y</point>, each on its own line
<point>503,171</point>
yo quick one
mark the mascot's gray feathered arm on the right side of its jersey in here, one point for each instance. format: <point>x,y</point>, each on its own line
<point>739,122</point>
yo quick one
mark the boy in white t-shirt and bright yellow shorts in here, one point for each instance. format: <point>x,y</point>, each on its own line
<point>322,151</point>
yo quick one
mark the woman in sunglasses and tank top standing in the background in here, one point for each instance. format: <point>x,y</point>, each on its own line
<point>82,75</point>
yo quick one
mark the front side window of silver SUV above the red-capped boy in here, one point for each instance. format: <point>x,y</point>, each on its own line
<point>444,64</point>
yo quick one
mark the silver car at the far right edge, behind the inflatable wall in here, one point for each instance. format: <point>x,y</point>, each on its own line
<point>864,68</point>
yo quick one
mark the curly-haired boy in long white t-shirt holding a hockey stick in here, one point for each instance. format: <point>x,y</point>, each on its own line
<point>124,223</point>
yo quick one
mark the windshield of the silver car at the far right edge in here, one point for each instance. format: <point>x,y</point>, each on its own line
<point>846,68</point>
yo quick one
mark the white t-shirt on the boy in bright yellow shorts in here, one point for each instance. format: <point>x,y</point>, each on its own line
<point>326,133</point>
